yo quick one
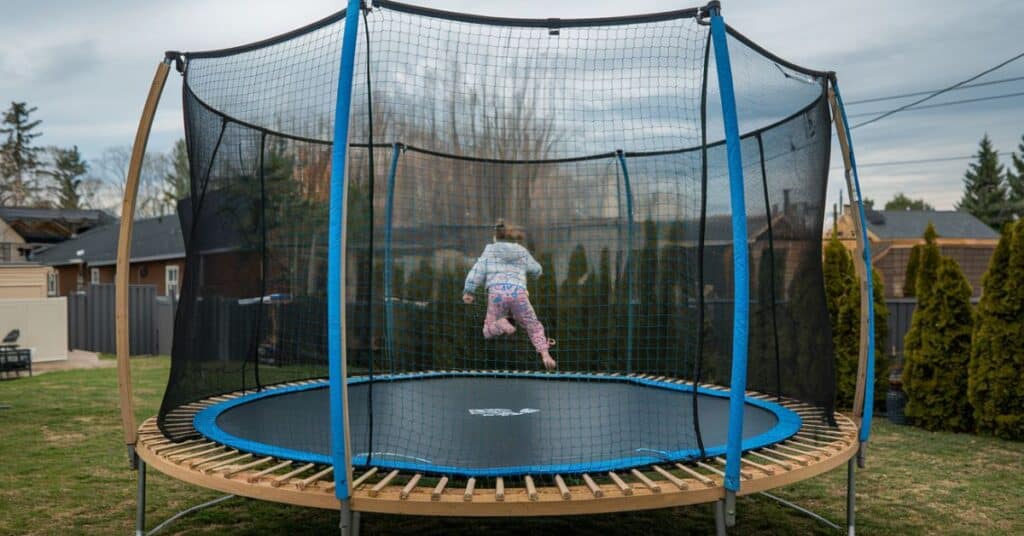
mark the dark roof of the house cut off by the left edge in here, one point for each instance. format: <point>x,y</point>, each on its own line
<point>47,226</point>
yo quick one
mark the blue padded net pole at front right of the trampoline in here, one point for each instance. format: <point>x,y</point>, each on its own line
<point>741,311</point>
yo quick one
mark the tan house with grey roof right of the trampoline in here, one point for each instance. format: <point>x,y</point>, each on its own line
<point>894,233</point>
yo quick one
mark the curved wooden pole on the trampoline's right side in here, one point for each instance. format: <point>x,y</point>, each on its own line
<point>859,262</point>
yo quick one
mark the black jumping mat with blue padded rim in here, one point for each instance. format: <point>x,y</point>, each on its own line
<point>501,425</point>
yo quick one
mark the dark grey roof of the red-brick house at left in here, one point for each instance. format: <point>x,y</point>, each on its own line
<point>153,239</point>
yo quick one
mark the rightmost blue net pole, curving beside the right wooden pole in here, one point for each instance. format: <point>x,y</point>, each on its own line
<point>869,408</point>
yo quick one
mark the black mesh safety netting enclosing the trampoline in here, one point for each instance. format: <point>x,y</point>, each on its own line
<point>600,149</point>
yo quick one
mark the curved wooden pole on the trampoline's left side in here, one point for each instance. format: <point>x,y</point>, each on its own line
<point>124,254</point>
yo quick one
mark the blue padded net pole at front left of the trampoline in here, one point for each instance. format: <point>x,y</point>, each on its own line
<point>335,259</point>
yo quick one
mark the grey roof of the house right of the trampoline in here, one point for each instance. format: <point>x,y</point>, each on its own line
<point>894,225</point>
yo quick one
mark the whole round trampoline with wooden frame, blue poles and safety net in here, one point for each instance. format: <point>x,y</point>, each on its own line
<point>446,264</point>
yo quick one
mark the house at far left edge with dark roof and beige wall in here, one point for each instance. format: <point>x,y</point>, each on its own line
<point>24,230</point>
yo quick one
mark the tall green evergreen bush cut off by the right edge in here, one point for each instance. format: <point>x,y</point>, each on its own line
<point>996,382</point>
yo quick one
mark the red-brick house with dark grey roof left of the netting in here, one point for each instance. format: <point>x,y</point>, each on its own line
<point>157,257</point>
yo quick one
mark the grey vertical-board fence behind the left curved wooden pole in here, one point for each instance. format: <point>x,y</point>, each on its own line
<point>92,320</point>
